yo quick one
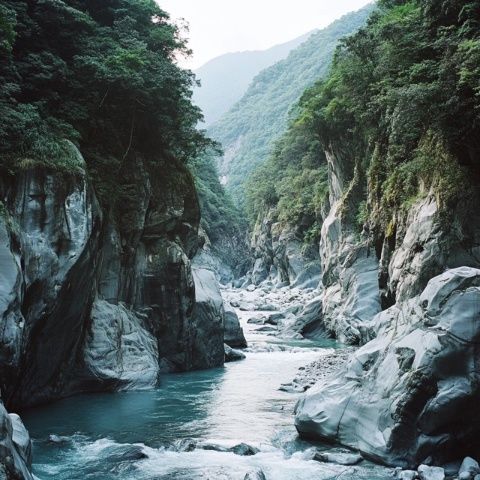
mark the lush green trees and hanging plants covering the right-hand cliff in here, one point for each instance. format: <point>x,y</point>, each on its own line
<point>400,108</point>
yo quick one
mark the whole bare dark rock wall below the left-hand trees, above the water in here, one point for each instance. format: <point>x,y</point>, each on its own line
<point>90,300</point>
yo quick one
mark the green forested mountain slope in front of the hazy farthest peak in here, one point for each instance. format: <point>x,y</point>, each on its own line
<point>248,131</point>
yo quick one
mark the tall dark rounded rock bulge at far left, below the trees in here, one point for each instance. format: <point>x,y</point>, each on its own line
<point>54,244</point>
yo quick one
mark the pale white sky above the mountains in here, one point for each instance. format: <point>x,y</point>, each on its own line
<point>221,26</point>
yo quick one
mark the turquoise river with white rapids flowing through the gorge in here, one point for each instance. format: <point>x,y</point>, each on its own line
<point>183,429</point>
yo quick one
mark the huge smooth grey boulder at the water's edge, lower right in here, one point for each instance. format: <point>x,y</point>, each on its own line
<point>412,392</point>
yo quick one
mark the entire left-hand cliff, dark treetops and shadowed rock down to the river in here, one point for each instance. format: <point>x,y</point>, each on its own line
<point>99,215</point>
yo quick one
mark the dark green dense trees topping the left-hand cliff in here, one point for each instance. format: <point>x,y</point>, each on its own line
<point>100,73</point>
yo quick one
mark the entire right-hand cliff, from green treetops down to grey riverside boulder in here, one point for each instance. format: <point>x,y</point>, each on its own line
<point>398,231</point>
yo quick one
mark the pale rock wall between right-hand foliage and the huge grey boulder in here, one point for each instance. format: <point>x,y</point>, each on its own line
<point>365,271</point>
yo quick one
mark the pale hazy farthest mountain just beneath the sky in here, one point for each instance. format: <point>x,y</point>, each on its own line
<point>225,79</point>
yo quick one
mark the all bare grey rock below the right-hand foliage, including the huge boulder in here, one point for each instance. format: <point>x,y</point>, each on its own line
<point>410,296</point>
